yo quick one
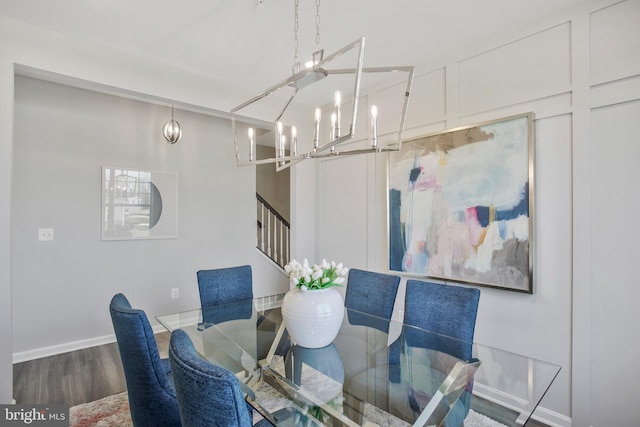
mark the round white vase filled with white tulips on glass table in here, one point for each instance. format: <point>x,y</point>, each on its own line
<point>313,310</point>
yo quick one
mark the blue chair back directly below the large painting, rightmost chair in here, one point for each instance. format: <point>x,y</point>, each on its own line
<point>446,310</point>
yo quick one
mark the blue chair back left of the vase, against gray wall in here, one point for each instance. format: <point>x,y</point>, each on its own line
<point>225,285</point>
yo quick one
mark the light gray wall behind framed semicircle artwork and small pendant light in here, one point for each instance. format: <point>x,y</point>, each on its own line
<point>62,137</point>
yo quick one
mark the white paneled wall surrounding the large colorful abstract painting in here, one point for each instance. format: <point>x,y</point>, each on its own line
<point>579,72</point>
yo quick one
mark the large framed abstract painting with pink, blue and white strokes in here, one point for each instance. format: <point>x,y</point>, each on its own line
<point>461,203</point>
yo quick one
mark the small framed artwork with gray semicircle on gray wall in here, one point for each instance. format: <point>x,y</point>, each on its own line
<point>139,204</point>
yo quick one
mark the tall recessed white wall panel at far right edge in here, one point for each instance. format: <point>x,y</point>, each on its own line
<point>615,283</point>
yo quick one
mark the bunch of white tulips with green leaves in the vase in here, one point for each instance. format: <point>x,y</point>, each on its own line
<point>314,277</point>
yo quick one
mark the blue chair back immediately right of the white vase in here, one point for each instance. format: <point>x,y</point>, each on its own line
<point>371,292</point>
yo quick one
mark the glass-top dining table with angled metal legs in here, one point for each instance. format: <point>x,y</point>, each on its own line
<point>377,372</point>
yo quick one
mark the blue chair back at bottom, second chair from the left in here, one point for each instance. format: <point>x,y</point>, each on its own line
<point>208,395</point>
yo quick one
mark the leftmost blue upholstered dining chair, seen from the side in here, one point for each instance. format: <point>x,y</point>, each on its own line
<point>152,398</point>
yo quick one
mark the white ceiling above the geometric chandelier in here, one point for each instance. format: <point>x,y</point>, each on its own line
<point>251,44</point>
